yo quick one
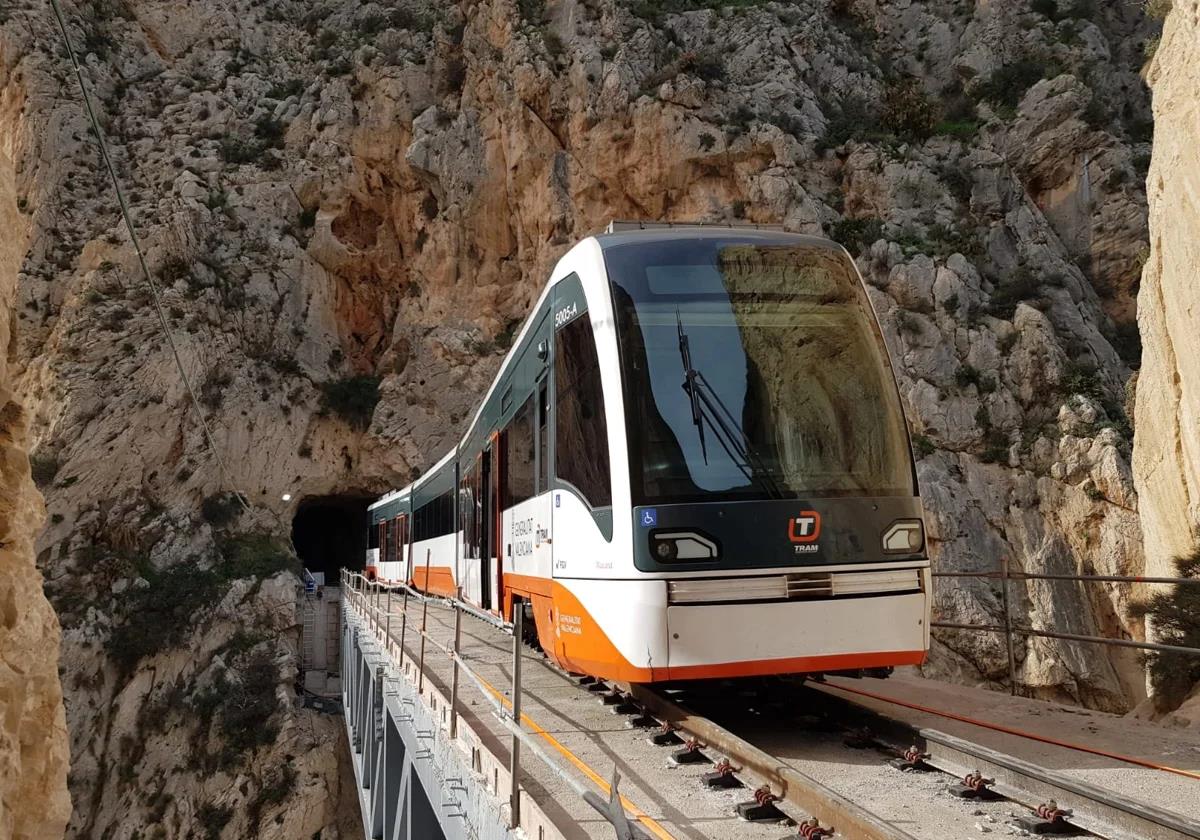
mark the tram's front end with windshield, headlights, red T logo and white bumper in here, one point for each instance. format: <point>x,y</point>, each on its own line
<point>771,472</point>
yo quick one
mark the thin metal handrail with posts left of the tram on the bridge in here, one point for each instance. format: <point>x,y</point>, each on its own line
<point>357,585</point>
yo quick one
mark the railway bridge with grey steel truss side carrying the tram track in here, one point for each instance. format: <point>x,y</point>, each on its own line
<point>459,730</point>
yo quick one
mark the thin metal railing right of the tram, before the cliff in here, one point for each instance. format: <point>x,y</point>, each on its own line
<point>1010,629</point>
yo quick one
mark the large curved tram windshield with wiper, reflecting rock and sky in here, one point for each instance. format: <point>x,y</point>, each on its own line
<point>753,370</point>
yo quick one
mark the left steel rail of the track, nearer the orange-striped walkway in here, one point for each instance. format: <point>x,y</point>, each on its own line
<point>851,820</point>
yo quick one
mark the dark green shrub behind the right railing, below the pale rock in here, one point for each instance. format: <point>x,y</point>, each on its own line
<point>1175,616</point>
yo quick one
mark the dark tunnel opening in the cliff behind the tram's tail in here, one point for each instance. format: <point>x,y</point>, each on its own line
<point>331,533</point>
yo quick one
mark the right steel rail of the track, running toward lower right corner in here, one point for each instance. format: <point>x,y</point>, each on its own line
<point>1099,811</point>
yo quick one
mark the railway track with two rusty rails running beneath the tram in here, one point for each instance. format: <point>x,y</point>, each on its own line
<point>730,723</point>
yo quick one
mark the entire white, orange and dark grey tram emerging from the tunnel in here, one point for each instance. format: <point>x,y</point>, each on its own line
<point>693,464</point>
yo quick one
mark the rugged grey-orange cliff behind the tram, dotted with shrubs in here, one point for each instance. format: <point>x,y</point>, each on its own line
<point>351,206</point>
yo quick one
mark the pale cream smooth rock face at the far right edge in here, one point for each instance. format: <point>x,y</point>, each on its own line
<point>1167,455</point>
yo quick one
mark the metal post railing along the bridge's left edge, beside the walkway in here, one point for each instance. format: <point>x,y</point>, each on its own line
<point>374,602</point>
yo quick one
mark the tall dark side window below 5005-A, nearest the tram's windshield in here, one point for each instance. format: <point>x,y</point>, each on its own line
<point>581,433</point>
